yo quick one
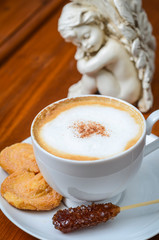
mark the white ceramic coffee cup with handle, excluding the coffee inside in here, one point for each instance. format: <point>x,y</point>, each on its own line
<point>98,180</point>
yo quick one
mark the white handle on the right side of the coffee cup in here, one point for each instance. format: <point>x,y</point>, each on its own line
<point>151,120</point>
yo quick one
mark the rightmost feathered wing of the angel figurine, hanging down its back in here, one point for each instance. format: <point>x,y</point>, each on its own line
<point>142,44</point>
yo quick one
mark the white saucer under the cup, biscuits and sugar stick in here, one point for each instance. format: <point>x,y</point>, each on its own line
<point>135,224</point>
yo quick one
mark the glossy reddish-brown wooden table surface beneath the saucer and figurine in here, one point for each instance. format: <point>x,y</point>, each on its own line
<point>36,68</point>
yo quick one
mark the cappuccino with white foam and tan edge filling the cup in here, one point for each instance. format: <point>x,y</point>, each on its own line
<point>88,128</point>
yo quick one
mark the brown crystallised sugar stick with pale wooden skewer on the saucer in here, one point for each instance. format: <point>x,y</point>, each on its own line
<point>72,219</point>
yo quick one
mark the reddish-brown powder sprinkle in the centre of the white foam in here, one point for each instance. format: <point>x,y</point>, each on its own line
<point>86,129</point>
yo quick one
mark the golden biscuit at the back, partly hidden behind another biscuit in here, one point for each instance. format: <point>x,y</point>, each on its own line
<point>18,156</point>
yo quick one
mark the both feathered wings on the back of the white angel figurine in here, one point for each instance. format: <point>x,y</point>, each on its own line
<point>127,21</point>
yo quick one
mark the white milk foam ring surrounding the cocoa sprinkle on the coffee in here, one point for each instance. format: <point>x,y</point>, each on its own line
<point>120,125</point>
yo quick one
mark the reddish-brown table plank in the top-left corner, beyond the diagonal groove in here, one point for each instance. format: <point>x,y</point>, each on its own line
<point>20,21</point>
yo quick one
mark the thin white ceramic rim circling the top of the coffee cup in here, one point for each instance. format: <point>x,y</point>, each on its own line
<point>88,161</point>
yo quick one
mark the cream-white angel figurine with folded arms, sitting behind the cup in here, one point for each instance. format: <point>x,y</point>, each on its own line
<point>115,49</point>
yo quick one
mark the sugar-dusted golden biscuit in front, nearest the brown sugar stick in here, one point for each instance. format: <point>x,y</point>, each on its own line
<point>29,191</point>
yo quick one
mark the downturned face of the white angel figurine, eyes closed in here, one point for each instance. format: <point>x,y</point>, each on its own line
<point>88,37</point>
